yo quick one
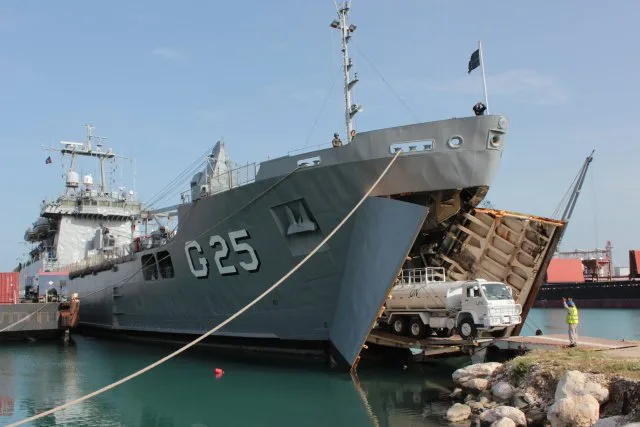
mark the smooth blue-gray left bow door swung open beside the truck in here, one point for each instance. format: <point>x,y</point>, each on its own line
<point>383,234</point>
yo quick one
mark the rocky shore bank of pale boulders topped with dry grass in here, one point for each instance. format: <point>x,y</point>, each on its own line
<point>539,390</point>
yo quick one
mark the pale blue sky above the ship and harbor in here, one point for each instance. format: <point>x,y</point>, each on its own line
<point>164,81</point>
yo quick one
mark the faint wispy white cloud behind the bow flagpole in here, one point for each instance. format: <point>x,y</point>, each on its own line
<point>525,84</point>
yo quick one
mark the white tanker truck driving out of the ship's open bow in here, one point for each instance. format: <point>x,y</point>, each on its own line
<point>423,301</point>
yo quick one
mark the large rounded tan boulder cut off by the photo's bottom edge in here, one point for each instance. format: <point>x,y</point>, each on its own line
<point>578,410</point>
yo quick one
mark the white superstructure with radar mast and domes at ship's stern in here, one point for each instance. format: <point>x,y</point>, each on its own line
<point>86,223</point>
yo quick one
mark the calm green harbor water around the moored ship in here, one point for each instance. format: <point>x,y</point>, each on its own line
<point>37,376</point>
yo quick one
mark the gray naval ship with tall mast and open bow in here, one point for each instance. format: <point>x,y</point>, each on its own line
<point>240,229</point>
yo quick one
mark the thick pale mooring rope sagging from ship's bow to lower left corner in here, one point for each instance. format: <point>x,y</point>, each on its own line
<point>202,337</point>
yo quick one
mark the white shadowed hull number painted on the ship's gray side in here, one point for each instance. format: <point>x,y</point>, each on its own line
<point>219,244</point>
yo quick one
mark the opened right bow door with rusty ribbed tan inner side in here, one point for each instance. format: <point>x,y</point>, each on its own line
<point>501,246</point>
